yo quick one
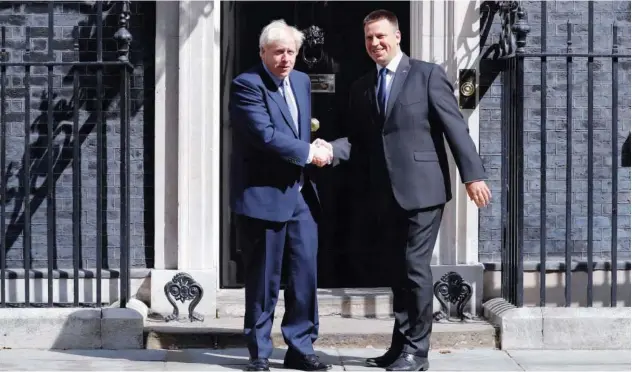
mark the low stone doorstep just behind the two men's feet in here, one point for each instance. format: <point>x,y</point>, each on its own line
<point>334,332</point>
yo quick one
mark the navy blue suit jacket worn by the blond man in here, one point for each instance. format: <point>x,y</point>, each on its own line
<point>268,154</point>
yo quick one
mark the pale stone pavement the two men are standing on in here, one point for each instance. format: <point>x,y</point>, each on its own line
<point>341,359</point>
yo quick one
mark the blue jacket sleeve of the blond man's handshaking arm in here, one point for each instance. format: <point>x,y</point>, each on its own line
<point>250,116</point>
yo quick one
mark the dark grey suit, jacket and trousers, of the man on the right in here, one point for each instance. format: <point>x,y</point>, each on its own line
<point>401,173</point>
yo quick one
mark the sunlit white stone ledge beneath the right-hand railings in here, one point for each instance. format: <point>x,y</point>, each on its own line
<point>559,328</point>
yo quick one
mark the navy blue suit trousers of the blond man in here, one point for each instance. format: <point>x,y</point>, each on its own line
<point>263,244</point>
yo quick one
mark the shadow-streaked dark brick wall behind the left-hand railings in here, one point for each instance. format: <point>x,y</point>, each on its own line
<point>16,16</point>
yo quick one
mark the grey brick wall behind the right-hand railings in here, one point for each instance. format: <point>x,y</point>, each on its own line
<point>559,12</point>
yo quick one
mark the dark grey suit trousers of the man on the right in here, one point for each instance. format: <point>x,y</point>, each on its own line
<point>410,236</point>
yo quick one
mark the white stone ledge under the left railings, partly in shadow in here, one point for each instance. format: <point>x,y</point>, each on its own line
<point>72,328</point>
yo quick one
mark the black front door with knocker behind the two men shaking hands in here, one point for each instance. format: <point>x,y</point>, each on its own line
<point>335,56</point>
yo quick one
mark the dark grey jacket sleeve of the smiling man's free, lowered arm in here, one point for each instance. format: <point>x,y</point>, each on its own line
<point>445,111</point>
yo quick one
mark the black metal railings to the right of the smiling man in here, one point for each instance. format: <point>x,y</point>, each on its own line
<point>513,44</point>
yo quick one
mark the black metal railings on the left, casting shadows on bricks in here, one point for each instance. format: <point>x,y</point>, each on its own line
<point>79,67</point>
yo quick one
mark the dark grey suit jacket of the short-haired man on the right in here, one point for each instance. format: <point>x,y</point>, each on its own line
<point>406,149</point>
